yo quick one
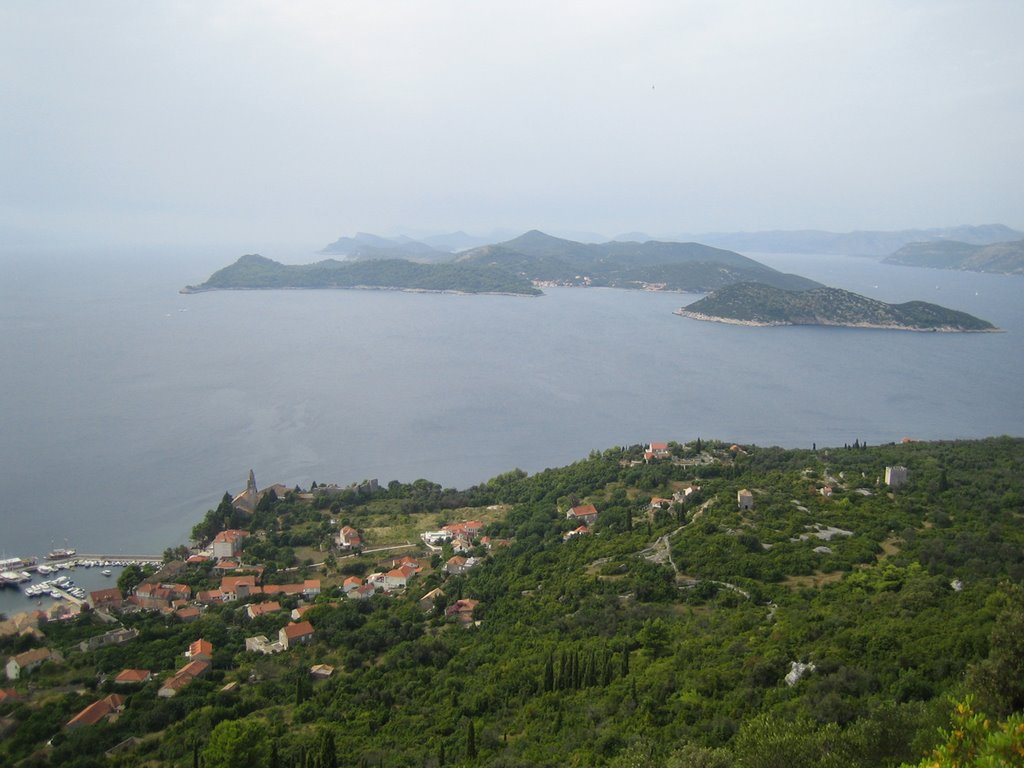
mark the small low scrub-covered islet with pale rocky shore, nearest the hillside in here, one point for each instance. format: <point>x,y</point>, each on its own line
<point>757,305</point>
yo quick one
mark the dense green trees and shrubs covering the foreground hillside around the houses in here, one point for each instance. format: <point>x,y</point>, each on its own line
<point>663,639</point>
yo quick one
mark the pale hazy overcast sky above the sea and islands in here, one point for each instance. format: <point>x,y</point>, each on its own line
<point>293,123</point>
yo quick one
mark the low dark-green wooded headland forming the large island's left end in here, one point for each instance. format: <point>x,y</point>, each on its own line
<point>254,272</point>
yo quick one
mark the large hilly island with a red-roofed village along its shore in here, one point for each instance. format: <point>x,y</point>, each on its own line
<point>522,267</point>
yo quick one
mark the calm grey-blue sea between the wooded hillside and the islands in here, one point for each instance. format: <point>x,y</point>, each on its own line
<point>127,410</point>
